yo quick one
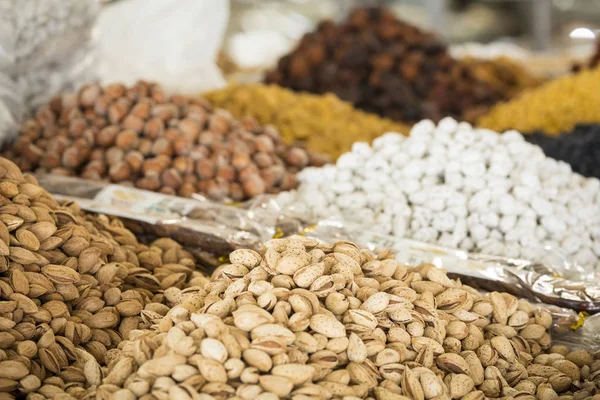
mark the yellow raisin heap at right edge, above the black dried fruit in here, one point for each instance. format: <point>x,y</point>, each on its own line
<point>555,107</point>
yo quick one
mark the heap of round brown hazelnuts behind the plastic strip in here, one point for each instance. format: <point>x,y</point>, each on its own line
<point>176,145</point>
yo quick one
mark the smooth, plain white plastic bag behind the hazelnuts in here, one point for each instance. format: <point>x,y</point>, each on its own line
<point>173,42</point>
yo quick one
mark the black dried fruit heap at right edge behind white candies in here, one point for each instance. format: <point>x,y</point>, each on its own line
<point>580,148</point>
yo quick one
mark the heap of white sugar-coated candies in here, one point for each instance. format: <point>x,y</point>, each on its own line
<point>460,187</point>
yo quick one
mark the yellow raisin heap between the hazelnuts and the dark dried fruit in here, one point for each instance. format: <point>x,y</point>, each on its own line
<point>324,123</point>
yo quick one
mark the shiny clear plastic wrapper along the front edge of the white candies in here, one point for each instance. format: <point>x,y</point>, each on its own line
<point>549,281</point>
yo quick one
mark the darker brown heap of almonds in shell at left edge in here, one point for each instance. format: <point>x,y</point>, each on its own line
<point>72,286</point>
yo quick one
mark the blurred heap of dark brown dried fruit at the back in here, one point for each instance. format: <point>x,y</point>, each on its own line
<point>385,66</point>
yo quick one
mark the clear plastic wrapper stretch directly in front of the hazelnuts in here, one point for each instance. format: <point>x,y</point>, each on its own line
<point>206,229</point>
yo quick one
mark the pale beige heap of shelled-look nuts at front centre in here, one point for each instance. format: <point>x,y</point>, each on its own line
<point>313,321</point>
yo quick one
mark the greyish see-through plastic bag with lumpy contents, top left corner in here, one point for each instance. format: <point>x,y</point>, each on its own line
<point>45,48</point>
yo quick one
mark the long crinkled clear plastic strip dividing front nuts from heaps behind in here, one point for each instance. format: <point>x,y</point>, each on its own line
<point>212,230</point>
